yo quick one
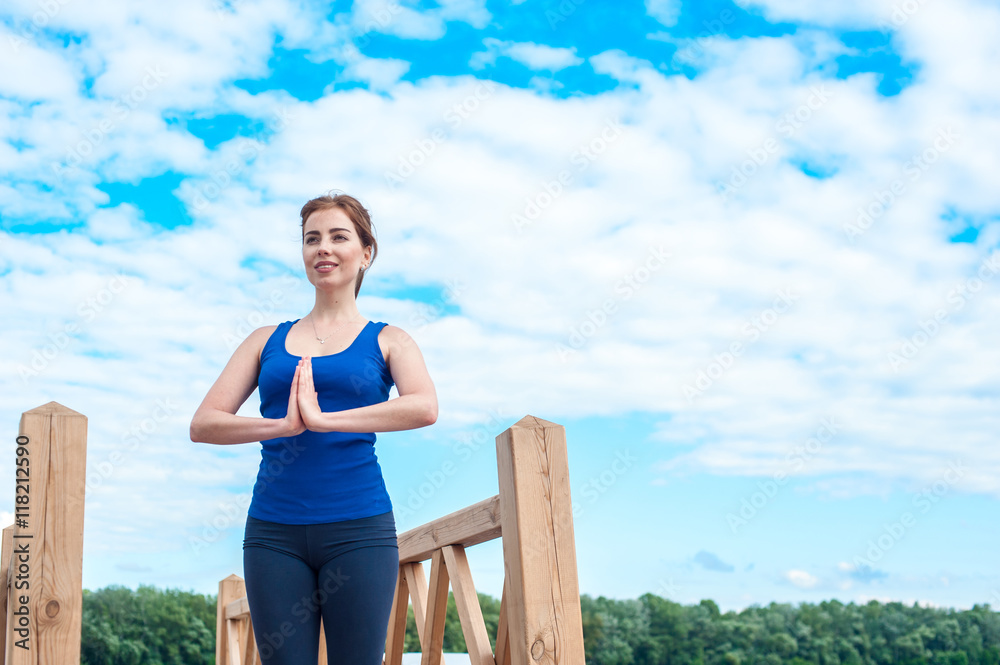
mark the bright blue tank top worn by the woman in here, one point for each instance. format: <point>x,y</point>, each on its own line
<point>319,477</point>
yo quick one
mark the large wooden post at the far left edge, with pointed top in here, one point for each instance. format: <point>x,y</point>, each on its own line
<point>45,605</point>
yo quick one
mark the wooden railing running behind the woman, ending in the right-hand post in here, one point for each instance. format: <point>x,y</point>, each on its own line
<point>540,620</point>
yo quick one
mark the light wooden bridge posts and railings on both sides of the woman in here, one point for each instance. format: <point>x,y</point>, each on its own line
<point>540,622</point>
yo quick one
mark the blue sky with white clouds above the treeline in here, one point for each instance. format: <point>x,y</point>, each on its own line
<point>746,253</point>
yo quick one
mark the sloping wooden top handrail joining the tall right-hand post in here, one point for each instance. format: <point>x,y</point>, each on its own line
<point>469,526</point>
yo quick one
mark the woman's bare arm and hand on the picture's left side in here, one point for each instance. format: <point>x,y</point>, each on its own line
<point>216,421</point>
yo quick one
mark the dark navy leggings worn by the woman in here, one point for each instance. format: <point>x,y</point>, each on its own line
<point>342,571</point>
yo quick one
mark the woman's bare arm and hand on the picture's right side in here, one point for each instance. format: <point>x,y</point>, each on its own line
<point>415,407</point>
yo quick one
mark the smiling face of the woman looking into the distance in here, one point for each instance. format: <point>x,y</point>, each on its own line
<point>331,249</point>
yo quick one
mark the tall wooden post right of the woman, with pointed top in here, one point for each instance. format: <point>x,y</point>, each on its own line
<point>543,607</point>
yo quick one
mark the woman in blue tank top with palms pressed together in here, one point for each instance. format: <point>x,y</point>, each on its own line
<point>320,536</point>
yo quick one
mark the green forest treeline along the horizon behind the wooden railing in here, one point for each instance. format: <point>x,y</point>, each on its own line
<point>150,626</point>
